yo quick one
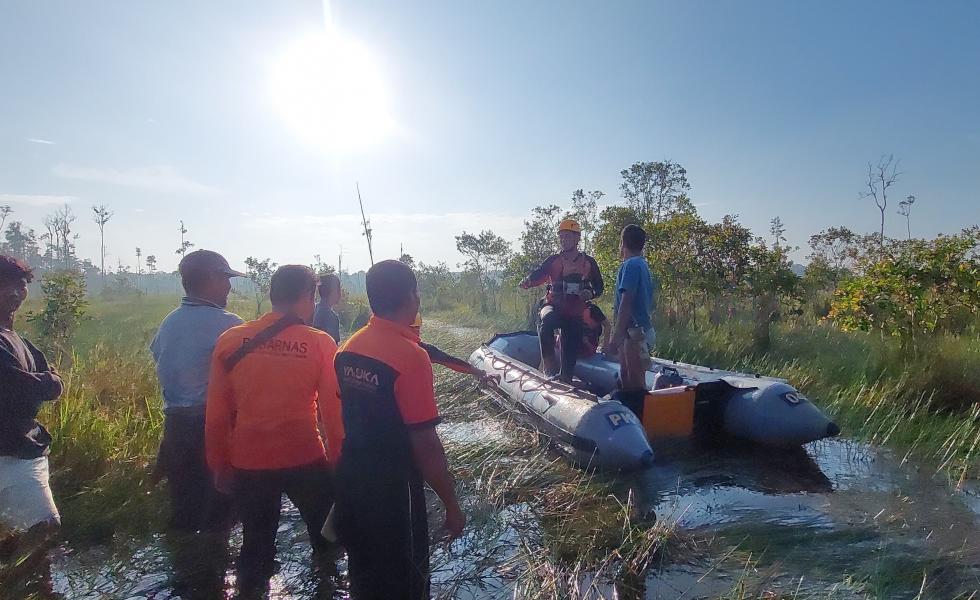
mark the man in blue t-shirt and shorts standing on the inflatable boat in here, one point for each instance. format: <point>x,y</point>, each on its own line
<point>633,334</point>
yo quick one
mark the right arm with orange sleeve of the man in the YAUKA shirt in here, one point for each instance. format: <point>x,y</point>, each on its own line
<point>415,395</point>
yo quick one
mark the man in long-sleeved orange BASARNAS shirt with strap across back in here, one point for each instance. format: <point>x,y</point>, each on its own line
<point>261,434</point>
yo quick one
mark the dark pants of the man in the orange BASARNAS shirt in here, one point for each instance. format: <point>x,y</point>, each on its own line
<point>259,497</point>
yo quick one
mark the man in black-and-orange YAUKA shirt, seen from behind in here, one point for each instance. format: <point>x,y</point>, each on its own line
<point>390,447</point>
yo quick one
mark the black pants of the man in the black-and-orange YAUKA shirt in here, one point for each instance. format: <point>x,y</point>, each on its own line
<point>384,527</point>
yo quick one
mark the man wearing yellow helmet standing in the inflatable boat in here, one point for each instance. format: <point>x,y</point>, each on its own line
<point>573,279</point>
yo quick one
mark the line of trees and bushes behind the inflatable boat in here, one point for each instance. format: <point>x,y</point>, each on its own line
<point>716,272</point>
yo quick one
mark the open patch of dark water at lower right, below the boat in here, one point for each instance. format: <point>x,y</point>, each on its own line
<point>836,515</point>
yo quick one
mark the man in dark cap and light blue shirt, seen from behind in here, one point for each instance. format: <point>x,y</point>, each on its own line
<point>182,351</point>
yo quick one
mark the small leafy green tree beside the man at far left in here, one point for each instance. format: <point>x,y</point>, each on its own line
<point>63,308</point>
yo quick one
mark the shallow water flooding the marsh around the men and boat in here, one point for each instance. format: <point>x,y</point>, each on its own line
<point>836,519</point>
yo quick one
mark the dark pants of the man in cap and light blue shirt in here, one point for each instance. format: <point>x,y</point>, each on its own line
<point>195,504</point>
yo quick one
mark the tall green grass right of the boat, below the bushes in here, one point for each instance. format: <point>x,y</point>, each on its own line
<point>927,406</point>
